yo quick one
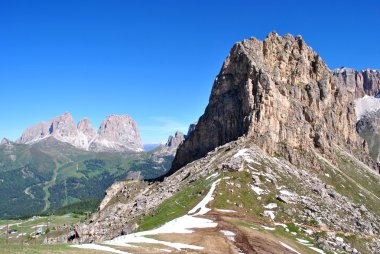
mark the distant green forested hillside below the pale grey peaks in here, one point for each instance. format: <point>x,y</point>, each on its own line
<point>50,174</point>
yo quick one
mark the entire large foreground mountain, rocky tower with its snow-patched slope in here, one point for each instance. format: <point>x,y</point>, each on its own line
<point>279,157</point>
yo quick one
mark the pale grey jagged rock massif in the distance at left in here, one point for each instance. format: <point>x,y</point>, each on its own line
<point>117,133</point>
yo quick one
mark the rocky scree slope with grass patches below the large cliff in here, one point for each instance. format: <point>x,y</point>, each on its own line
<point>335,210</point>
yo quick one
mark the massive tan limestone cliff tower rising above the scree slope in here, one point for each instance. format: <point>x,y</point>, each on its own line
<point>281,94</point>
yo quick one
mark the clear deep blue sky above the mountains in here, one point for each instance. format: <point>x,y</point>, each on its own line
<point>153,60</point>
